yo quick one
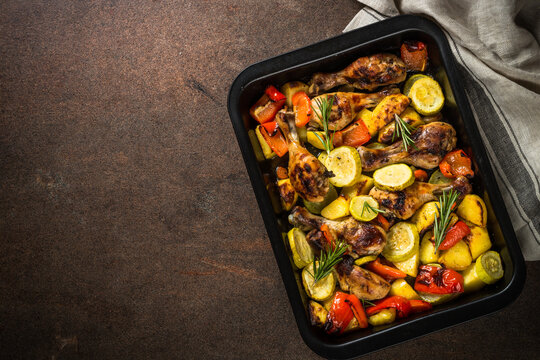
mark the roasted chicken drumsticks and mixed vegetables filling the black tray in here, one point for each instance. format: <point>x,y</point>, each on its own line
<point>368,173</point>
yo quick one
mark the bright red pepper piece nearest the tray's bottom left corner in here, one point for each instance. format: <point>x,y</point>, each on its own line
<point>344,308</point>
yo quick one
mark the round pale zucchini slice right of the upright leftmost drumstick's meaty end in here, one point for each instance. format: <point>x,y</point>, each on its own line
<point>345,163</point>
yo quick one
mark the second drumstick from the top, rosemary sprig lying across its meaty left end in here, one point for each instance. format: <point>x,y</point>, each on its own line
<point>347,105</point>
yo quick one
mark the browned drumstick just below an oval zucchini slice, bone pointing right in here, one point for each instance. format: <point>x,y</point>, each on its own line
<point>403,204</point>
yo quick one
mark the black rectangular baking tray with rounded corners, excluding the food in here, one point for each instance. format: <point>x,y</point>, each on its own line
<point>334,54</point>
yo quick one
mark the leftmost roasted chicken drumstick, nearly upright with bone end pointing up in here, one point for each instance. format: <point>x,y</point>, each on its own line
<point>308,175</point>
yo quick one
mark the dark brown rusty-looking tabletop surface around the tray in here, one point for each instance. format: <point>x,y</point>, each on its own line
<point>128,224</point>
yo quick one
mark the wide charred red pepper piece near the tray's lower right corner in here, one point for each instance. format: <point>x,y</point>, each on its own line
<point>438,280</point>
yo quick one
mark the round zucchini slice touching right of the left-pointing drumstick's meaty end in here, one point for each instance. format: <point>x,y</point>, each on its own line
<point>402,241</point>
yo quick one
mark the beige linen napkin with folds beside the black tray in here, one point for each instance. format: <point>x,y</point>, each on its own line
<point>496,46</point>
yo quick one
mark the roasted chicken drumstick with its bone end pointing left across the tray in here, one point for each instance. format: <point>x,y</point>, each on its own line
<point>364,238</point>
